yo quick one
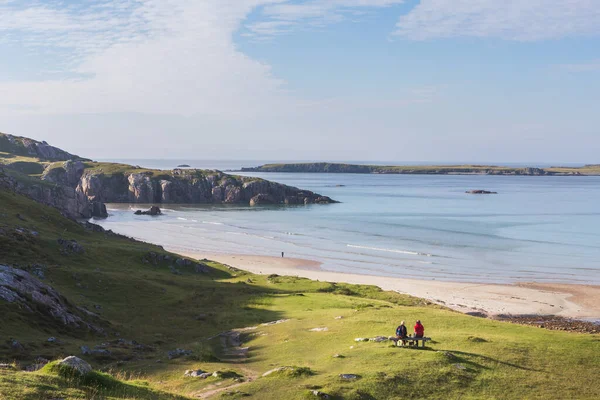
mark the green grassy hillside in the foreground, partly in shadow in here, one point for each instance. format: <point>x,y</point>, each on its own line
<point>470,358</point>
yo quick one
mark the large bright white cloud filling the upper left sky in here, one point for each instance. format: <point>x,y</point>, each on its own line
<point>168,56</point>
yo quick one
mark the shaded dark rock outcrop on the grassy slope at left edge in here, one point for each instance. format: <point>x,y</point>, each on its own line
<point>23,289</point>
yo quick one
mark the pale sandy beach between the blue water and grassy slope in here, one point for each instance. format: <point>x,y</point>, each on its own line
<point>576,301</point>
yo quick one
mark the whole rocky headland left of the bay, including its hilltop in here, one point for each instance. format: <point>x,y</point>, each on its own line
<point>80,188</point>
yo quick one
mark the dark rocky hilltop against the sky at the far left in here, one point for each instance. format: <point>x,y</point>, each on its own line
<point>32,148</point>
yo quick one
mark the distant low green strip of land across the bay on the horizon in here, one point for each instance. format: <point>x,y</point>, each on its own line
<point>322,167</point>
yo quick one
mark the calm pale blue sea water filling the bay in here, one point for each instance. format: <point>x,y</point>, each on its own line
<point>544,229</point>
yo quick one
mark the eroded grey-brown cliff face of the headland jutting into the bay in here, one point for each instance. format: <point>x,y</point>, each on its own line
<point>177,186</point>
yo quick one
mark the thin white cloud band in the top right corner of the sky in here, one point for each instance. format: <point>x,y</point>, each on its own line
<point>520,20</point>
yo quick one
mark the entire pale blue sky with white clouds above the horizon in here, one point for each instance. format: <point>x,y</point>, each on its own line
<point>394,80</point>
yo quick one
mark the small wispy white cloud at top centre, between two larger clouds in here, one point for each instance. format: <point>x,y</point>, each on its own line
<point>287,17</point>
